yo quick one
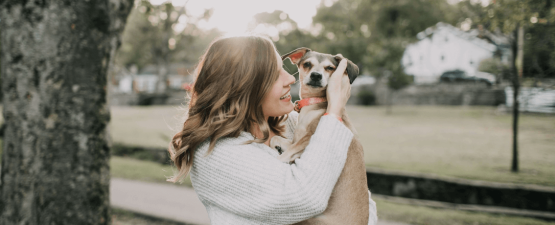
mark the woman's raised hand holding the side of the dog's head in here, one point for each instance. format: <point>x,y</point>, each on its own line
<point>339,89</point>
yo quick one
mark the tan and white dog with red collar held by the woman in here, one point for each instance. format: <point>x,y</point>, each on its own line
<point>349,201</point>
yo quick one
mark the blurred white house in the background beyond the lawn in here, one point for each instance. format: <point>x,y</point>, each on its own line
<point>444,48</point>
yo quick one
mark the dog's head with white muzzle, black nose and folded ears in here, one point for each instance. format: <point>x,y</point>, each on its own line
<point>316,68</point>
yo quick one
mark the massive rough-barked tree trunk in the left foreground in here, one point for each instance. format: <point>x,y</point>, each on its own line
<point>54,66</point>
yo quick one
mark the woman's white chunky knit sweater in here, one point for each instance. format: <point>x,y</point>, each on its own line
<point>246,184</point>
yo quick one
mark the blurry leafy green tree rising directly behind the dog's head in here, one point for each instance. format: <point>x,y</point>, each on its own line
<point>375,33</point>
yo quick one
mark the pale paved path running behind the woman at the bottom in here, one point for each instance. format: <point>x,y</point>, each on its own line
<point>164,201</point>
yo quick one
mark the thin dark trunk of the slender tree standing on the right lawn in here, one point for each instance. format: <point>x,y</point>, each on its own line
<point>517,73</point>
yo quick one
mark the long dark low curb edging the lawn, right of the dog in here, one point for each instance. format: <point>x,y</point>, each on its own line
<point>461,191</point>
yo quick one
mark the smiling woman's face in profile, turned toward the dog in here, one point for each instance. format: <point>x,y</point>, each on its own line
<point>277,102</point>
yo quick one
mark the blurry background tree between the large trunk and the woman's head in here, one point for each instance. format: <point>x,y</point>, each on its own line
<point>160,35</point>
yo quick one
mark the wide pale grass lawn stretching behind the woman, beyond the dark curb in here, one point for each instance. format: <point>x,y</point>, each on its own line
<point>454,141</point>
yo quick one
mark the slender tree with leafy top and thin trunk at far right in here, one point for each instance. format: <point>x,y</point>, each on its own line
<point>513,18</point>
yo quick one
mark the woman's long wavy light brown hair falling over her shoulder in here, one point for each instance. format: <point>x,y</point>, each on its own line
<point>231,80</point>
